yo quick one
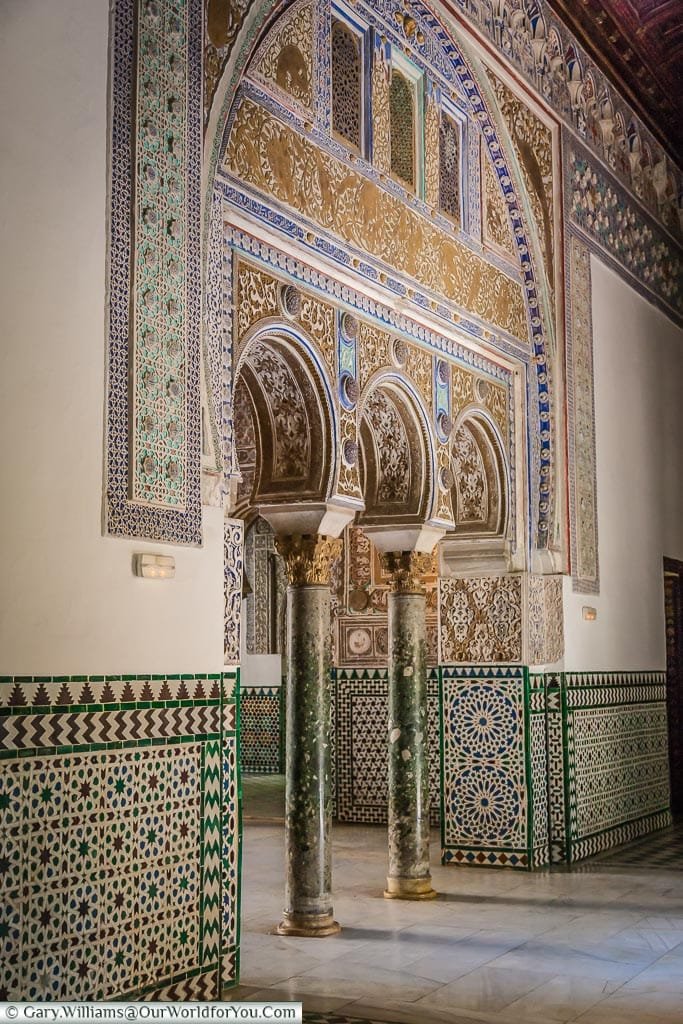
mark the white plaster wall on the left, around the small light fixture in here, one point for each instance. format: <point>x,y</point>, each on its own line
<point>69,602</point>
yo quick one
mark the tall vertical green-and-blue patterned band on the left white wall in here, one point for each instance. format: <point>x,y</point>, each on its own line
<point>154,444</point>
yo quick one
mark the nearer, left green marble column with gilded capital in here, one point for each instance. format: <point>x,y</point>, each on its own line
<point>309,790</point>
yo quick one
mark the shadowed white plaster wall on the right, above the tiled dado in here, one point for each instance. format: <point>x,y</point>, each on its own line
<point>638,355</point>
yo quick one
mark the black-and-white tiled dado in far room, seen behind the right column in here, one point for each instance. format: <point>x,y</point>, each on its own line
<point>362,710</point>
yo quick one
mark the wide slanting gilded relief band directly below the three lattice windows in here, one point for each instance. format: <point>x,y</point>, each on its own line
<point>273,158</point>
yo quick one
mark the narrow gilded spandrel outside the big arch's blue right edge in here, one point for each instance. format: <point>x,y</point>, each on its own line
<point>534,148</point>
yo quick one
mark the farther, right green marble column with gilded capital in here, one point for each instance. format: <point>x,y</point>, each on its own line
<point>409,771</point>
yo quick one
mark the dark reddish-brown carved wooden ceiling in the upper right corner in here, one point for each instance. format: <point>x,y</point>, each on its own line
<point>639,46</point>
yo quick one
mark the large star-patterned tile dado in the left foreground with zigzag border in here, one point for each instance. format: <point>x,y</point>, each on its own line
<point>111,817</point>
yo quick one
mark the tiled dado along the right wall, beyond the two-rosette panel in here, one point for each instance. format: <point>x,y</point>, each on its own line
<point>616,758</point>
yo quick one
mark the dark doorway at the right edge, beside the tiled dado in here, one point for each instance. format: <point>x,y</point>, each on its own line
<point>673,578</point>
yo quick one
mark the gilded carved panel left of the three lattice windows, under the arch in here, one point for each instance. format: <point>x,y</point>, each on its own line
<point>287,58</point>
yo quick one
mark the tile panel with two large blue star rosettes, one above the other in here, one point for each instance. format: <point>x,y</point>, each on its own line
<point>493,755</point>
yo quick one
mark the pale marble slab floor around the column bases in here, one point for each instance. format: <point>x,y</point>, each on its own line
<point>600,945</point>
